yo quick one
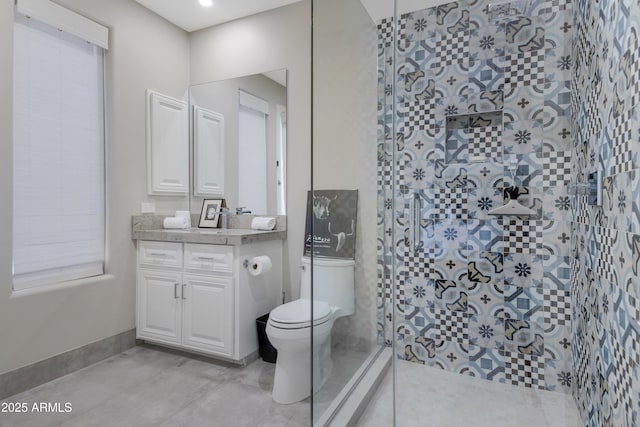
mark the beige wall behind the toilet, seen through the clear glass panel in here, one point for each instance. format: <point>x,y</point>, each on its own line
<point>345,141</point>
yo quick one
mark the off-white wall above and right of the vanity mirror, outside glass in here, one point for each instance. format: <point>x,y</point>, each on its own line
<point>276,39</point>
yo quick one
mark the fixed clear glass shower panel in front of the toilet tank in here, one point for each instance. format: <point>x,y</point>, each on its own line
<point>344,204</point>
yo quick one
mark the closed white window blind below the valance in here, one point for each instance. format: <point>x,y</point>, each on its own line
<point>58,161</point>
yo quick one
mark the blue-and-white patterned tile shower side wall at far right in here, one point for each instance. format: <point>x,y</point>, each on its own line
<point>605,288</point>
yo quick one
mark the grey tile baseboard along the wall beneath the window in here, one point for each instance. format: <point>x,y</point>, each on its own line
<point>31,376</point>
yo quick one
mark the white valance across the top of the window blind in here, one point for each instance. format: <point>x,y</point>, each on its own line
<point>66,20</point>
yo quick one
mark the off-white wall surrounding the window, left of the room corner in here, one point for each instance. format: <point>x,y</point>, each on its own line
<point>146,52</point>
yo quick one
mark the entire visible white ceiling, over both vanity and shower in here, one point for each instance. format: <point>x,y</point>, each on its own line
<point>190,16</point>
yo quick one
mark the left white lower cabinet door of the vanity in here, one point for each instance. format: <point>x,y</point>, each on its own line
<point>159,306</point>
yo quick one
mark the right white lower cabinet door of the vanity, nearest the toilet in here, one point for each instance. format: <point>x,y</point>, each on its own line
<point>207,319</point>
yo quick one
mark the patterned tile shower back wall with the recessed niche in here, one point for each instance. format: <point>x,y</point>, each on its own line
<point>482,103</point>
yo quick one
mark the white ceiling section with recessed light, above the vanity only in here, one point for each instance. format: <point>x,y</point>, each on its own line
<point>190,16</point>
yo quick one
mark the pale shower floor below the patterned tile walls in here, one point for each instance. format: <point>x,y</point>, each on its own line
<point>431,397</point>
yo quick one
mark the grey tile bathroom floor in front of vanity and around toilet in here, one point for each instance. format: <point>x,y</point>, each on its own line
<point>150,386</point>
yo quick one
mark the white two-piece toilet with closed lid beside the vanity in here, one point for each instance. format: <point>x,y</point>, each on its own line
<point>289,327</point>
